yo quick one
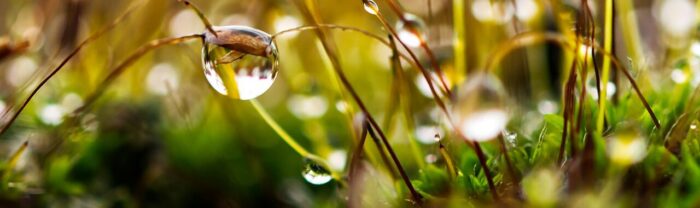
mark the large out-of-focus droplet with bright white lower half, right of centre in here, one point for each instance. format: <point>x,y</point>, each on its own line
<point>479,112</point>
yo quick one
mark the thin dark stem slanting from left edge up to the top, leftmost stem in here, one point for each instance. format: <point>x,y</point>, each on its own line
<point>75,51</point>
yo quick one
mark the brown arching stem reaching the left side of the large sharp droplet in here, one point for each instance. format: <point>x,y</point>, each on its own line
<point>128,62</point>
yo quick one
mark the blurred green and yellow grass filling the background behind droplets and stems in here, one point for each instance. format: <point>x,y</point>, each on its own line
<point>180,144</point>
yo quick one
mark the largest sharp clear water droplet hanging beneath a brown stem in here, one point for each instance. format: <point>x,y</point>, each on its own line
<point>239,62</point>
